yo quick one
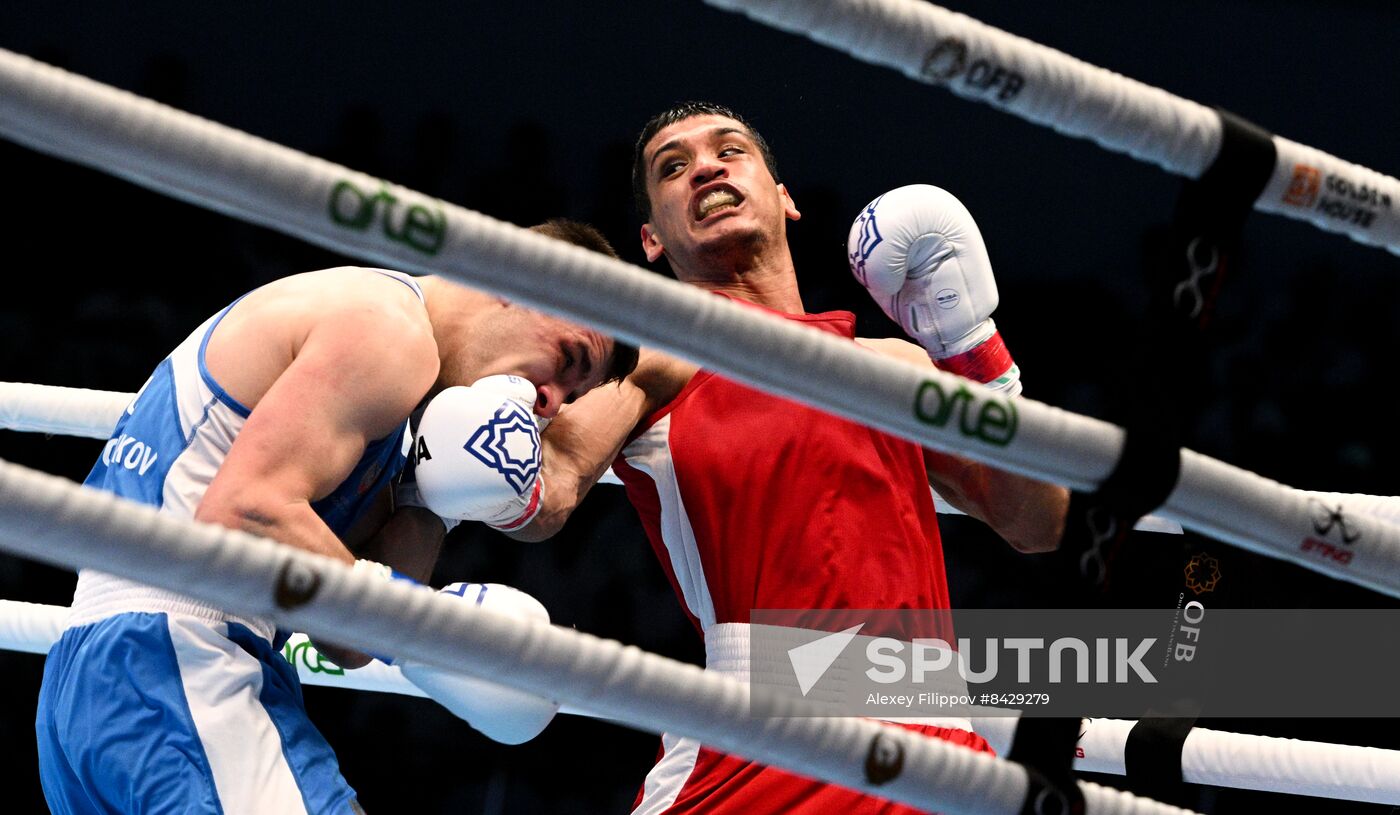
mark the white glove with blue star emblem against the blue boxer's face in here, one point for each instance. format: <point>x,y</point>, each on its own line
<point>478,453</point>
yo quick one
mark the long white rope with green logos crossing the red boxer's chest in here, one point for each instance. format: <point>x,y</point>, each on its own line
<point>267,184</point>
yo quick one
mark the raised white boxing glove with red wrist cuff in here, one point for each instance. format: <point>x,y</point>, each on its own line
<point>920,256</point>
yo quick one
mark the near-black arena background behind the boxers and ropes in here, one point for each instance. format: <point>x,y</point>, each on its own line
<point>527,111</point>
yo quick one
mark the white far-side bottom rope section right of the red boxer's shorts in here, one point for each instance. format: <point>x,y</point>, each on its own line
<point>1240,761</point>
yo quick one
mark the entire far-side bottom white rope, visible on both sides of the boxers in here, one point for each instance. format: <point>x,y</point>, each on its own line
<point>1224,760</point>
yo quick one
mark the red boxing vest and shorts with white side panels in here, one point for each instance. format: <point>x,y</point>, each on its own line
<point>757,502</point>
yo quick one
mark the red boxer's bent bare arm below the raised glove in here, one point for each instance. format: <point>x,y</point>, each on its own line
<point>1027,513</point>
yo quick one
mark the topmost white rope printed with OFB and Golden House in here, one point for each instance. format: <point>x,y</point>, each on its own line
<point>1041,85</point>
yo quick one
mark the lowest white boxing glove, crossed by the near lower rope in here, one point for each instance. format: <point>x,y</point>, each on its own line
<point>499,713</point>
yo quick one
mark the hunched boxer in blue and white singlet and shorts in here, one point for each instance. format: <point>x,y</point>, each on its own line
<point>285,415</point>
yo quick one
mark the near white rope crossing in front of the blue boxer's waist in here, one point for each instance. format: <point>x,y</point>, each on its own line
<point>52,520</point>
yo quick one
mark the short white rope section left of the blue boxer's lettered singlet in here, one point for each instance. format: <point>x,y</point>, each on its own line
<point>61,411</point>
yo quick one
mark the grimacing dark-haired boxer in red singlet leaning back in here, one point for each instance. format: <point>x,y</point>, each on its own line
<point>754,502</point>
